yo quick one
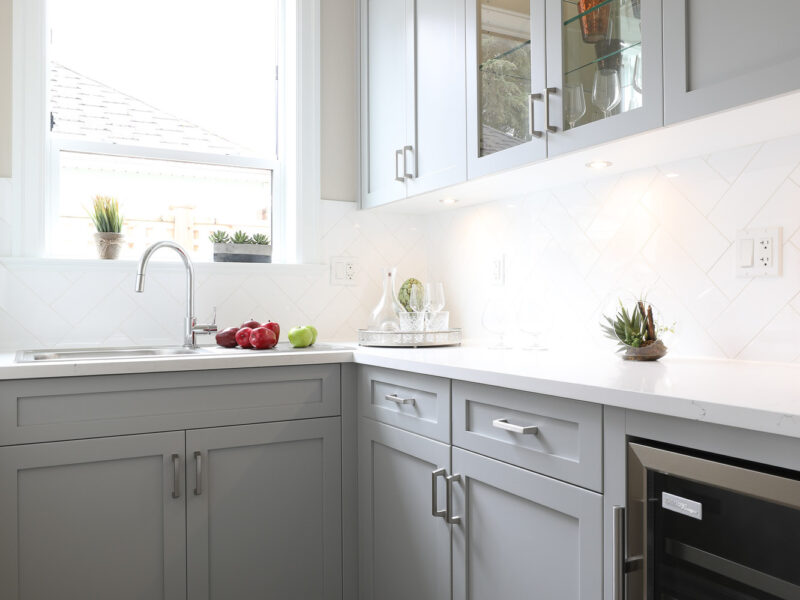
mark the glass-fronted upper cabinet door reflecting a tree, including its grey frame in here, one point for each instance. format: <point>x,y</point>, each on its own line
<point>505,69</point>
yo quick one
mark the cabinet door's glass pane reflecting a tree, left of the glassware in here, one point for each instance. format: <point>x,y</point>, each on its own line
<point>504,74</point>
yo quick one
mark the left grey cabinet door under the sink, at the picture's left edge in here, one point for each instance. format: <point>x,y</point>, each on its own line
<point>93,519</point>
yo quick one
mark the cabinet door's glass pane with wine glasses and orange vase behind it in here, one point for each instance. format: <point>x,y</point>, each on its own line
<point>602,58</point>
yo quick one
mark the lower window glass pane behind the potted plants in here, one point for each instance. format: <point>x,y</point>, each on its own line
<point>159,200</point>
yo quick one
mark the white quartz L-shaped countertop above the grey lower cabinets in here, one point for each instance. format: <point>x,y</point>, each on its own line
<point>757,396</point>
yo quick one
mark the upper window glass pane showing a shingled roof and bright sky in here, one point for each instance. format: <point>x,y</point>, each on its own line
<point>197,75</point>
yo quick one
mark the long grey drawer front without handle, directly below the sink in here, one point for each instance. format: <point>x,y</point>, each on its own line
<point>37,410</point>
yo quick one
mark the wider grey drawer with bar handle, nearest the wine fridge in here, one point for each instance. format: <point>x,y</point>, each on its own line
<point>561,438</point>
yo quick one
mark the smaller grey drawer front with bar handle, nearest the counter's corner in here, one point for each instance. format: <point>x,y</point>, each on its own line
<point>418,403</point>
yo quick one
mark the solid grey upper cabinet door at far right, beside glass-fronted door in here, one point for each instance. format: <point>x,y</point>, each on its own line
<point>720,54</point>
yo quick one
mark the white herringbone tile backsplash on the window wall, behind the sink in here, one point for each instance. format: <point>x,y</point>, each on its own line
<point>47,304</point>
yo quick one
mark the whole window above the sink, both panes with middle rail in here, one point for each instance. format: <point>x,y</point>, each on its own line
<point>172,107</point>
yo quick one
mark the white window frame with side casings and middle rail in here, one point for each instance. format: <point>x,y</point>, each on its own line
<point>295,173</point>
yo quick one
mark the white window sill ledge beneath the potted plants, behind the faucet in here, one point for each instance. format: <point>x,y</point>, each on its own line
<point>95,264</point>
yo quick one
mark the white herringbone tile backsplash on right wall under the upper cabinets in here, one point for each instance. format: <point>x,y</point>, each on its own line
<point>666,231</point>
